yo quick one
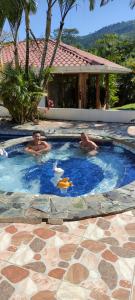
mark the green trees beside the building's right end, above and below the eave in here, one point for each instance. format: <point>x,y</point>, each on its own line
<point>114,48</point>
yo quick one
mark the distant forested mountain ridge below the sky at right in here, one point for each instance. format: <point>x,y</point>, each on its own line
<point>124,29</point>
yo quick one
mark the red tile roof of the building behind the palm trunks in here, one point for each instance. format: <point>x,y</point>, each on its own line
<point>66,55</point>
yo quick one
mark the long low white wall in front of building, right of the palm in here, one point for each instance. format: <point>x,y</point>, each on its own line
<point>89,115</point>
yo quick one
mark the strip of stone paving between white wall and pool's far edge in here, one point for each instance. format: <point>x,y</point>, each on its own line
<point>51,127</point>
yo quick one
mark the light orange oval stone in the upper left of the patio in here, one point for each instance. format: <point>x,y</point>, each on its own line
<point>22,236</point>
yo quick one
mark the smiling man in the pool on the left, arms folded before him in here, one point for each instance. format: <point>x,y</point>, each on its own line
<point>37,146</point>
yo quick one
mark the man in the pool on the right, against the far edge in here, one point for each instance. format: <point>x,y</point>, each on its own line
<point>87,144</point>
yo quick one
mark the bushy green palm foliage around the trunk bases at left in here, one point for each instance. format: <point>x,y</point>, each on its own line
<point>19,95</point>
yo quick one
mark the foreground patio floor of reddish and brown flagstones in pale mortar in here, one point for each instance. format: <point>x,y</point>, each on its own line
<point>91,259</point>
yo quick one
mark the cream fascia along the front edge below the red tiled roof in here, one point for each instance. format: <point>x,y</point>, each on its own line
<point>90,69</point>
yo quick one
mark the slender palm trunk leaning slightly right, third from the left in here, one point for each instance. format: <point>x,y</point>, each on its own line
<point>46,39</point>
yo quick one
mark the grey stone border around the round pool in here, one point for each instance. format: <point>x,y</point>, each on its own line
<point>29,208</point>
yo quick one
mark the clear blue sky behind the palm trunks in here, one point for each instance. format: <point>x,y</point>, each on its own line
<point>80,17</point>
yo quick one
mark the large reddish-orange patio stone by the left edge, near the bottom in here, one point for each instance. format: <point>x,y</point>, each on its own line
<point>14,274</point>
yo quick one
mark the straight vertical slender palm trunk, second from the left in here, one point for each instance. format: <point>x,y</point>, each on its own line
<point>27,28</point>
